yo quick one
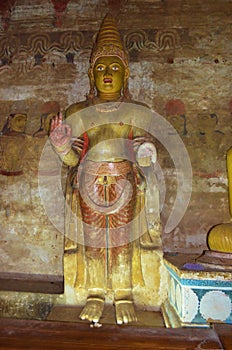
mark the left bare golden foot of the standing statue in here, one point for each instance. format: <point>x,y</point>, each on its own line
<point>93,310</point>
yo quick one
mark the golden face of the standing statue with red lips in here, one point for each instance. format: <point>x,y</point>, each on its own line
<point>109,74</point>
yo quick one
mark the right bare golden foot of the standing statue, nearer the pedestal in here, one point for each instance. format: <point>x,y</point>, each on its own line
<point>125,311</point>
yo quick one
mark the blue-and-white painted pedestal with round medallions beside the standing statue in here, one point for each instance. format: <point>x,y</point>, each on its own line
<point>197,295</point>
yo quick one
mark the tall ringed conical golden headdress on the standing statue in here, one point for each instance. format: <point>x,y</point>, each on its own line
<point>108,42</point>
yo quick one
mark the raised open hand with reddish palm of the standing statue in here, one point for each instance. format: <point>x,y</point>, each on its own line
<point>60,134</point>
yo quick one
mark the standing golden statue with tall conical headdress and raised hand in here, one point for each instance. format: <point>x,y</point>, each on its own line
<point>105,152</point>
